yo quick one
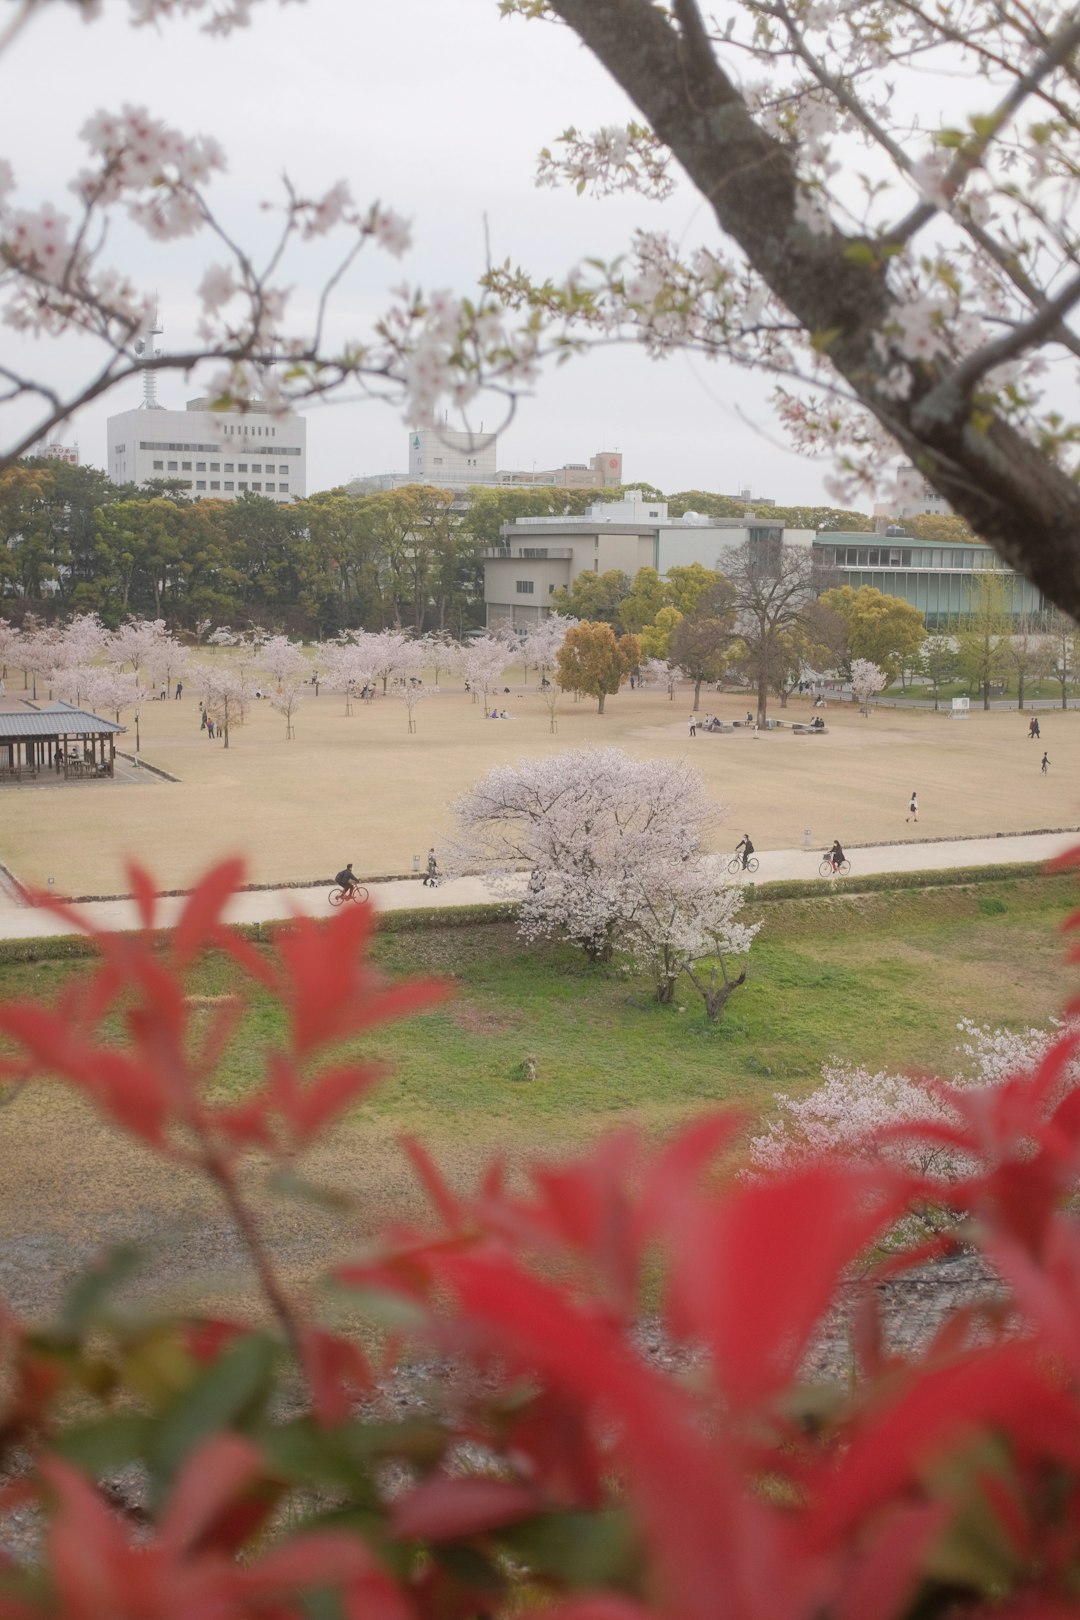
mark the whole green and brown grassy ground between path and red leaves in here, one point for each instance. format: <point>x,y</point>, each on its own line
<point>877,979</point>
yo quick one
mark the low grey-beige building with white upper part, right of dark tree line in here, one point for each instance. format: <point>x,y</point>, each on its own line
<point>543,555</point>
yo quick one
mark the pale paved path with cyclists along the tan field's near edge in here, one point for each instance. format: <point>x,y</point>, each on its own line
<point>23,923</point>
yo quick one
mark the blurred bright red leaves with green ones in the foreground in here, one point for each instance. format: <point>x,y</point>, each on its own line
<point>568,1475</point>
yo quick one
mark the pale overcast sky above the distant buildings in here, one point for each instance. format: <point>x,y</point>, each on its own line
<point>438,109</point>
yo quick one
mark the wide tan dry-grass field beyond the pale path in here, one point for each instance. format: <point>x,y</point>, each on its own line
<point>360,788</point>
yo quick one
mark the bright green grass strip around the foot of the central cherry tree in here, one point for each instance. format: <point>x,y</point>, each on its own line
<point>877,979</point>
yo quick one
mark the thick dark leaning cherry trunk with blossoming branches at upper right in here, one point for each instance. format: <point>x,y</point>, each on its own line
<point>909,291</point>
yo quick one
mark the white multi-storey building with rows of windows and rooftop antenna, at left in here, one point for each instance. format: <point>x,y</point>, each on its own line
<point>215,456</point>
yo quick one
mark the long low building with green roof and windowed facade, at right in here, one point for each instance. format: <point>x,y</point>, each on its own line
<point>938,579</point>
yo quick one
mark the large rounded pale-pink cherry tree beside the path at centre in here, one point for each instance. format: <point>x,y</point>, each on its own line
<point>590,827</point>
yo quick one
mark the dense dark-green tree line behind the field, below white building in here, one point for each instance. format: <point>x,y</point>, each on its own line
<point>412,558</point>
